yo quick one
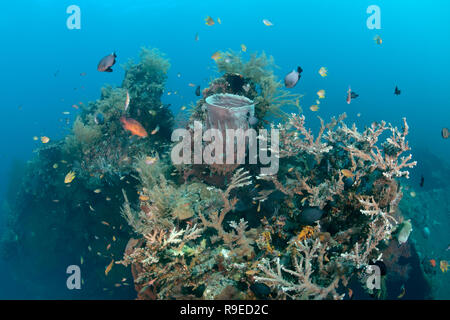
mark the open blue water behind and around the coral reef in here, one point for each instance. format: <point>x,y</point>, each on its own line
<point>42,62</point>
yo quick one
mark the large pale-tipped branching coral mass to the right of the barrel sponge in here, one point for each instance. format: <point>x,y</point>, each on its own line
<point>360,206</point>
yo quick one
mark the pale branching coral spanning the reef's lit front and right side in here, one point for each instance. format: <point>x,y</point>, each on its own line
<point>355,217</point>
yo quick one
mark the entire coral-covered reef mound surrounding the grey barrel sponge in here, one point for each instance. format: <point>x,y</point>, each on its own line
<point>209,231</point>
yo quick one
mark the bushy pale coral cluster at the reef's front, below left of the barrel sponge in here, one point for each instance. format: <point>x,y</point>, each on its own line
<point>171,258</point>
